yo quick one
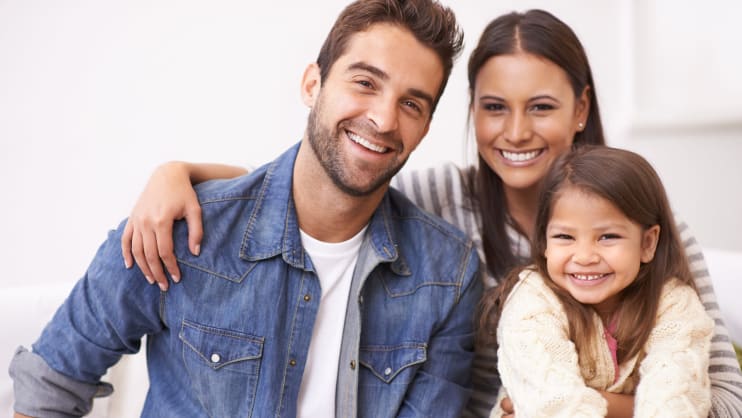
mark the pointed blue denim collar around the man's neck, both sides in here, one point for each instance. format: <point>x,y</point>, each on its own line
<point>265,238</point>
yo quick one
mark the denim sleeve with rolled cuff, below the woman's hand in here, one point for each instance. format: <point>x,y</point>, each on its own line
<point>105,316</point>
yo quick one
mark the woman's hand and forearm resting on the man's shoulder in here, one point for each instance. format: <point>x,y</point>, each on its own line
<point>168,196</point>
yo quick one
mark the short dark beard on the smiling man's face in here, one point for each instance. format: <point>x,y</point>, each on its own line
<point>326,146</point>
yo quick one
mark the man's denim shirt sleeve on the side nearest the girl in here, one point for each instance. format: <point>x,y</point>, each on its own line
<point>443,385</point>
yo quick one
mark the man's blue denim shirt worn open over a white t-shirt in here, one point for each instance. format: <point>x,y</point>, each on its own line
<point>231,339</point>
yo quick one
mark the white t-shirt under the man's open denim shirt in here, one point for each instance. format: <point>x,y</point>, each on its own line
<point>334,264</point>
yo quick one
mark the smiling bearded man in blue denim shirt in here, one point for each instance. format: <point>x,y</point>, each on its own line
<point>319,291</point>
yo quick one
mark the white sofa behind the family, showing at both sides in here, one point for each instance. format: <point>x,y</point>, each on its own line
<point>25,310</point>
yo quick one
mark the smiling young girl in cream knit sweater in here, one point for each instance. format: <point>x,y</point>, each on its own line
<point>609,303</point>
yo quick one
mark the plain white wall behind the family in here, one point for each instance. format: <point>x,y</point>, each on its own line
<point>94,94</point>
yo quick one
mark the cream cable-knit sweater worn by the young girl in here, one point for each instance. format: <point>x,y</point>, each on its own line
<point>544,376</point>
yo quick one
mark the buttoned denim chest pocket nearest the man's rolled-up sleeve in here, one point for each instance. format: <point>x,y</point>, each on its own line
<point>223,366</point>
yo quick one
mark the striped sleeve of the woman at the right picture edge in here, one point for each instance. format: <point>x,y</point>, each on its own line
<point>724,371</point>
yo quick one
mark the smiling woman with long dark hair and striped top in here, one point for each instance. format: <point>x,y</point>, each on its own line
<point>532,99</point>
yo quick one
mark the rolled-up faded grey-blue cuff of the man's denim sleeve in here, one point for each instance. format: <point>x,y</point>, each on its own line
<point>42,392</point>
